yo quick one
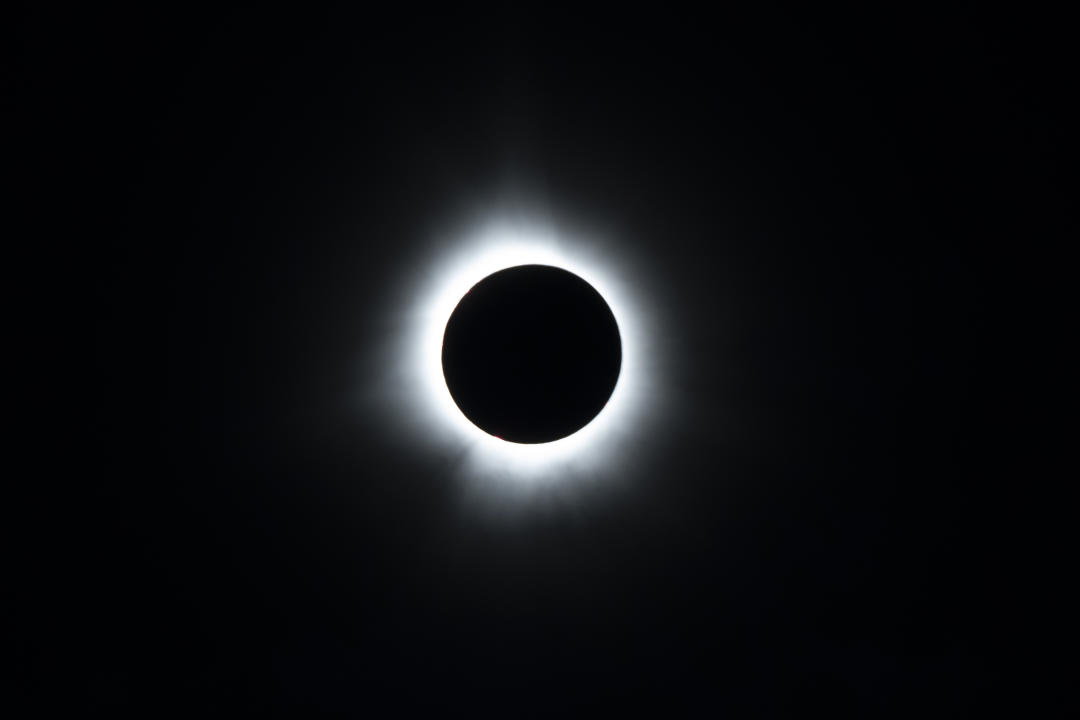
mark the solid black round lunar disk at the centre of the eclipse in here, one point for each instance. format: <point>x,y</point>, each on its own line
<point>532,355</point>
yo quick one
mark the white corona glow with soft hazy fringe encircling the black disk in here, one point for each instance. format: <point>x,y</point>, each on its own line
<point>424,400</point>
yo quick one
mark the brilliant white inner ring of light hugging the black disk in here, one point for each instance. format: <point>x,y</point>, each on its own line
<point>504,246</point>
